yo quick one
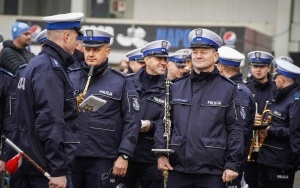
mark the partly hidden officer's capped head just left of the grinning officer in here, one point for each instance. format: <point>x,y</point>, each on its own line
<point>135,60</point>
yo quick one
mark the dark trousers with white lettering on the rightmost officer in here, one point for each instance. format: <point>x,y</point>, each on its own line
<point>270,177</point>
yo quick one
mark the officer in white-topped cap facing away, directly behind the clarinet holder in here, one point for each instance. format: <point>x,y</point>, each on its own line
<point>229,66</point>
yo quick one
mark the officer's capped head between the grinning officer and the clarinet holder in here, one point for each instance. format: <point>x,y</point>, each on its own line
<point>176,64</point>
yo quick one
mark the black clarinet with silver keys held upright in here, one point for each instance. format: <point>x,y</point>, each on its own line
<point>167,121</point>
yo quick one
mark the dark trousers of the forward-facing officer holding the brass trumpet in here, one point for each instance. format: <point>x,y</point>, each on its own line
<point>251,174</point>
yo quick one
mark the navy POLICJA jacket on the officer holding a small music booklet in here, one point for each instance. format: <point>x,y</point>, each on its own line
<point>114,128</point>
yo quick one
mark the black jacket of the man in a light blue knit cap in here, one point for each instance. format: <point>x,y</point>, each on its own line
<point>12,57</point>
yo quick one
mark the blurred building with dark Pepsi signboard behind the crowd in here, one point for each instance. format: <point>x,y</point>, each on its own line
<point>270,25</point>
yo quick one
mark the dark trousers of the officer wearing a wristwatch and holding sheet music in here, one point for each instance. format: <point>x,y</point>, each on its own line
<point>91,172</point>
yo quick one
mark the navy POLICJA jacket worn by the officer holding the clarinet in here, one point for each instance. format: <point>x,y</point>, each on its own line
<point>206,136</point>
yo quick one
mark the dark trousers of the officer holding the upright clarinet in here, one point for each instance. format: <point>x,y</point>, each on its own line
<point>185,180</point>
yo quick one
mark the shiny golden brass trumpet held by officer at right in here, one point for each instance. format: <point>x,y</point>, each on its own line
<point>264,122</point>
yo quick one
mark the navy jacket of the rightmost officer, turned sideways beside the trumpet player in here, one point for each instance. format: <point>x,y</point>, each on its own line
<point>282,145</point>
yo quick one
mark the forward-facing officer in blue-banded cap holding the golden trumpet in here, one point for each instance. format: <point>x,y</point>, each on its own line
<point>262,87</point>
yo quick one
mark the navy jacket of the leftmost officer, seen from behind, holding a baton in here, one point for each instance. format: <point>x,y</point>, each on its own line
<point>46,109</point>
